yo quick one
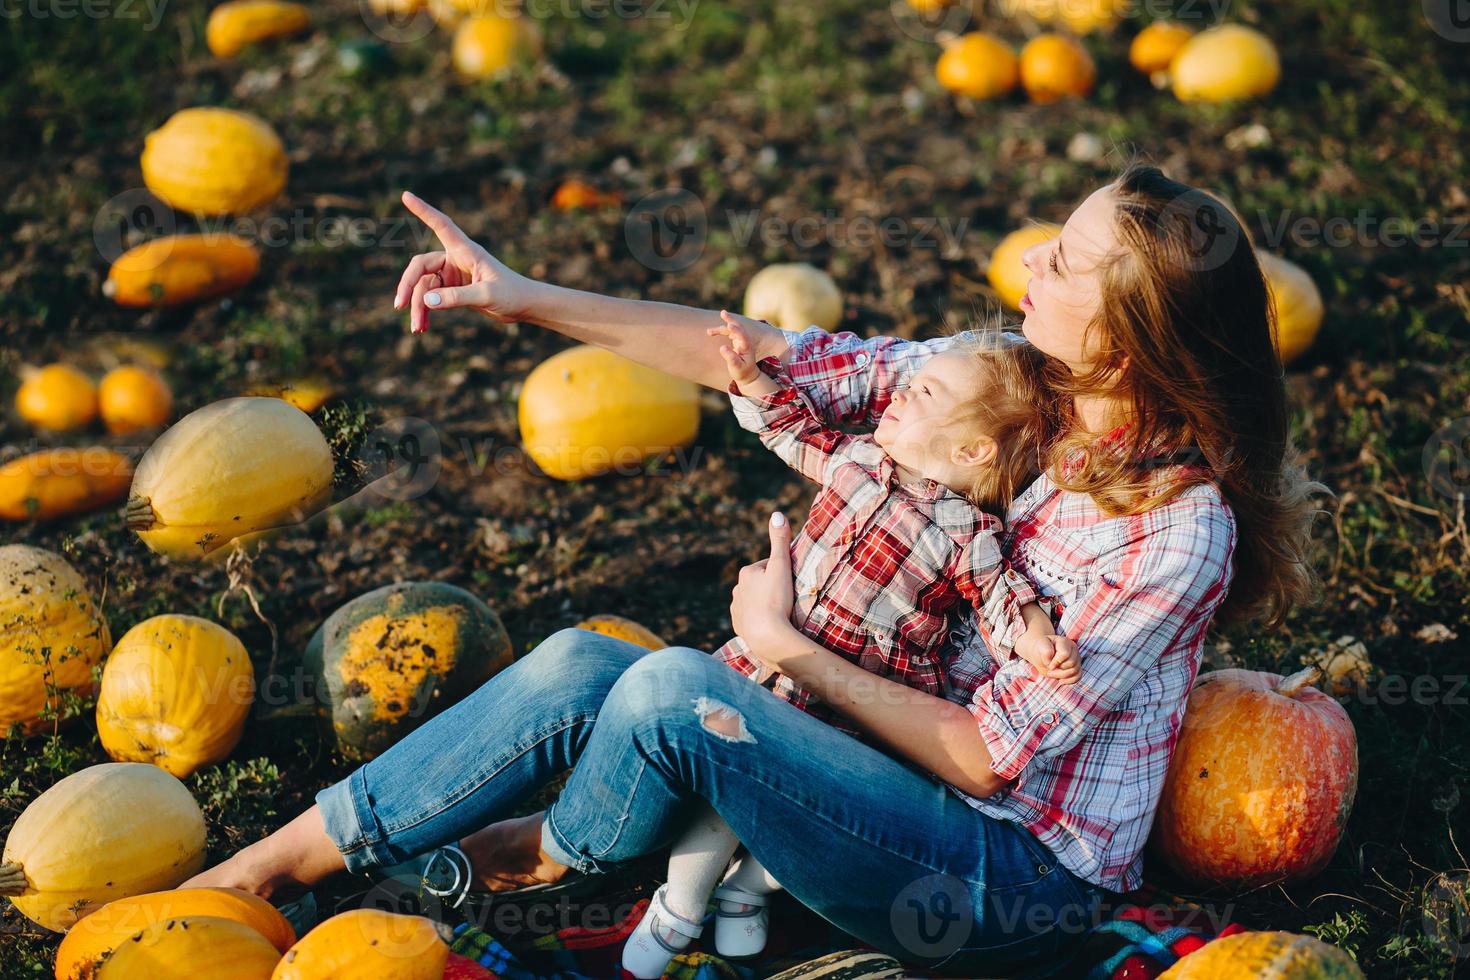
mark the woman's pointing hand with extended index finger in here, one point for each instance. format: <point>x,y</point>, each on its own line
<point>462,275</point>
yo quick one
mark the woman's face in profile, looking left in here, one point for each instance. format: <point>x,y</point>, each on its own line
<point>1065,289</point>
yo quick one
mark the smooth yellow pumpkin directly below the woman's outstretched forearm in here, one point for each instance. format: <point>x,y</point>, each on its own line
<point>589,412</point>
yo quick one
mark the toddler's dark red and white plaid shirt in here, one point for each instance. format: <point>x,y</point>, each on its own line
<point>878,565</point>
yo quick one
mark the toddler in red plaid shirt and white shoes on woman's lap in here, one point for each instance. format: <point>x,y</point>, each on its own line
<point>900,534</point>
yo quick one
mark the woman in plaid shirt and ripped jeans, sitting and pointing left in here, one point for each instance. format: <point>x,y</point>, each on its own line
<point>1000,815</point>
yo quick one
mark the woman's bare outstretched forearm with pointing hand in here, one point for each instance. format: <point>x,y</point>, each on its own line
<point>464,274</point>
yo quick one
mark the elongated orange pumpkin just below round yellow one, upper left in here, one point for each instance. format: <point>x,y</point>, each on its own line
<point>182,270</point>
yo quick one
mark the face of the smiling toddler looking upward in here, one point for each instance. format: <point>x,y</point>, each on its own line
<point>918,428</point>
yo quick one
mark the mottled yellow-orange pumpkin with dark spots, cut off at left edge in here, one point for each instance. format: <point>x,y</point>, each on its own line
<point>52,637</point>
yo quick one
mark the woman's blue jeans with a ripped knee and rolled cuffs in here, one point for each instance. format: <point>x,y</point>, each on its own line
<point>871,844</point>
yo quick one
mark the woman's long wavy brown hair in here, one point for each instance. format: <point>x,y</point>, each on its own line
<point>1186,331</point>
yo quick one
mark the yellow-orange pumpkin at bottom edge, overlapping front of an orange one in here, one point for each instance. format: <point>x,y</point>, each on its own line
<point>192,948</point>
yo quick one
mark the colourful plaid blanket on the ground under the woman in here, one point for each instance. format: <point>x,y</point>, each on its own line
<point>1146,934</point>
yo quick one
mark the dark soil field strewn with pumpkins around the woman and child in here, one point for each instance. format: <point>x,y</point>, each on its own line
<point>224,456</point>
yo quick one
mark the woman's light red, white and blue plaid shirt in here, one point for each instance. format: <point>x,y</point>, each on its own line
<point>1087,762</point>
